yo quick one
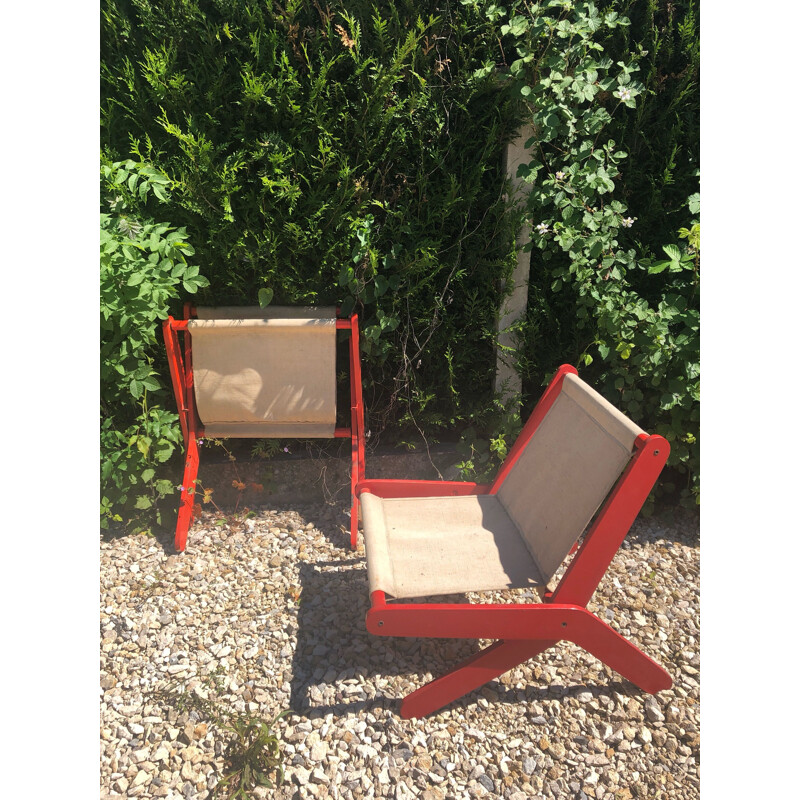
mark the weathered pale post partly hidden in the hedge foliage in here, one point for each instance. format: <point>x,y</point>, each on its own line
<point>507,381</point>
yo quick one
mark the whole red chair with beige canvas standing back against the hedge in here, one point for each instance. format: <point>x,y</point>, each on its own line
<point>260,373</point>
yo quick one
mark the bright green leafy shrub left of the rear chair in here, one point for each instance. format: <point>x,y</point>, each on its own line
<point>143,266</point>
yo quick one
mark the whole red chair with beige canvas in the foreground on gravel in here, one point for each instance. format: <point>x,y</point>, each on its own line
<point>575,455</point>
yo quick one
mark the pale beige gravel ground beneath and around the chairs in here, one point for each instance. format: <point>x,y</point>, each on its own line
<point>274,606</point>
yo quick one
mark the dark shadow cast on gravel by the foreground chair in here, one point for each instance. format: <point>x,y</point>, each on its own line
<point>335,653</point>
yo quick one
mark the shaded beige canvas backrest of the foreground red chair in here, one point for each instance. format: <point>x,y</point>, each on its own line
<point>565,472</point>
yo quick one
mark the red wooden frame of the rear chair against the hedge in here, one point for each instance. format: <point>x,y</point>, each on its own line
<point>180,367</point>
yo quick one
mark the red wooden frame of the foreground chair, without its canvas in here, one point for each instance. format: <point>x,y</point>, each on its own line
<point>525,630</point>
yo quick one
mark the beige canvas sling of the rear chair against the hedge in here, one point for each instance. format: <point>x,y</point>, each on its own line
<point>265,372</point>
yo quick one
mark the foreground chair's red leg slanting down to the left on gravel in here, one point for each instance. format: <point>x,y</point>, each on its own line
<point>488,664</point>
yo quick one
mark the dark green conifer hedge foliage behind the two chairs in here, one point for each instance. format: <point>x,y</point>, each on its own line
<point>351,153</point>
